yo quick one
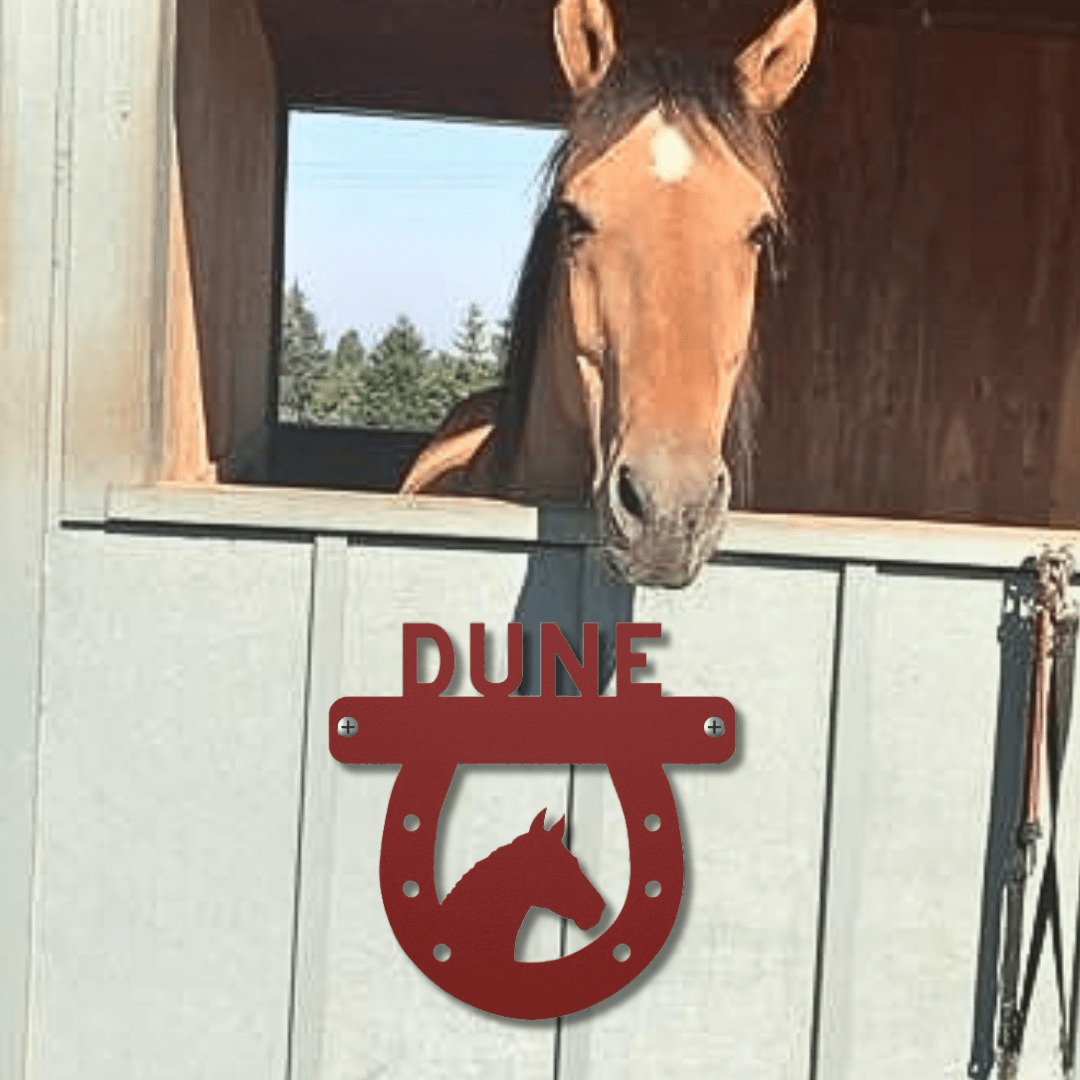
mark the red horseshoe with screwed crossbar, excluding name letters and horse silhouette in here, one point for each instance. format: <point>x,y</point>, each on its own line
<point>634,735</point>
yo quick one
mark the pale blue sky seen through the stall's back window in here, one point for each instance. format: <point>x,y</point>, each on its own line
<point>389,217</point>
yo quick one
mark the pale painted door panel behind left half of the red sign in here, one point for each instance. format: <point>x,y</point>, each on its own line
<point>383,1017</point>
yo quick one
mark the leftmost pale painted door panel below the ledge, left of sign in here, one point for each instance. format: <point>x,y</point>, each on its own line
<point>171,746</point>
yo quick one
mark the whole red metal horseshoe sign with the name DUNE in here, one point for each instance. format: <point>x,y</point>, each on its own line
<point>464,949</point>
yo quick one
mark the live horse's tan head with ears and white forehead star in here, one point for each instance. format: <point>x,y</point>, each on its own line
<point>665,229</point>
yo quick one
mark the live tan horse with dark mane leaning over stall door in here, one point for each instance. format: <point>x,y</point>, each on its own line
<point>629,383</point>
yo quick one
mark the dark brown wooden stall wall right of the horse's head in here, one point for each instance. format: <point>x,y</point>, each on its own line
<point>923,358</point>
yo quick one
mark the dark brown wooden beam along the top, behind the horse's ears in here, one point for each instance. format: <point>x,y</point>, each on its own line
<point>494,60</point>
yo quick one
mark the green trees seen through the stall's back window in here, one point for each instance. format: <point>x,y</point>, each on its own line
<point>400,384</point>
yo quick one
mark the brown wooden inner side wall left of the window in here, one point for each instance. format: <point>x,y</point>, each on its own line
<point>222,242</point>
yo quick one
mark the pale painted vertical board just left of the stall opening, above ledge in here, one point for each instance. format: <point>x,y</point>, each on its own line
<point>117,250</point>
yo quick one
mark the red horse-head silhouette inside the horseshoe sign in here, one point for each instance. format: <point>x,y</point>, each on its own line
<point>481,916</point>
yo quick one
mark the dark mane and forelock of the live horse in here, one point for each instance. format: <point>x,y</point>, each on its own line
<point>697,88</point>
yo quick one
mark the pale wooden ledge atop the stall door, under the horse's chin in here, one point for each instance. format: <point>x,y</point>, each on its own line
<point>749,535</point>
